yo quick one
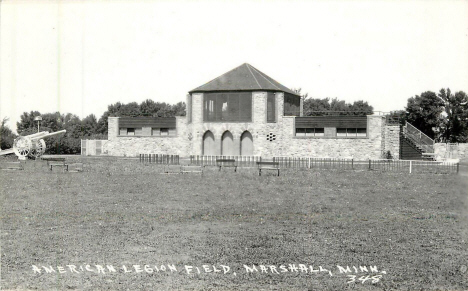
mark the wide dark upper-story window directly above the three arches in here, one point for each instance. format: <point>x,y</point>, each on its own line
<point>227,107</point>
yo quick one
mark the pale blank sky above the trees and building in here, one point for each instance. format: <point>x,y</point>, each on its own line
<point>81,56</point>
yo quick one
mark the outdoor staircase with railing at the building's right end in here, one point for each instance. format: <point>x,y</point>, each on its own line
<point>414,144</point>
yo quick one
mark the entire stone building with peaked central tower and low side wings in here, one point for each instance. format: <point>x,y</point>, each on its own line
<point>245,112</point>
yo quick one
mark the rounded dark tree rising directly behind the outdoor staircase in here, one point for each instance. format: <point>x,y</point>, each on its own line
<point>424,112</point>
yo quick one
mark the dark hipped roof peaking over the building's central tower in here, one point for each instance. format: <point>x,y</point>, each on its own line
<point>243,78</point>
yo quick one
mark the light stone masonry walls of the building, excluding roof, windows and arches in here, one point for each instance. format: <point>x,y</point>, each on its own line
<point>269,139</point>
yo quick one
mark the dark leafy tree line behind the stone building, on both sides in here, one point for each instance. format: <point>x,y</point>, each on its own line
<point>442,116</point>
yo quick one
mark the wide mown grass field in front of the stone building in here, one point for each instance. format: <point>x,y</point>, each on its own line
<point>126,215</point>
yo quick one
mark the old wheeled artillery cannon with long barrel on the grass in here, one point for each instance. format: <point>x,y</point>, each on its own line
<point>32,145</point>
